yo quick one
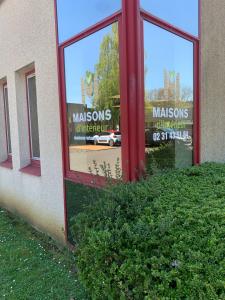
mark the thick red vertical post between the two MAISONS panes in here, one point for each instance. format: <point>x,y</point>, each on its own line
<point>132,84</point>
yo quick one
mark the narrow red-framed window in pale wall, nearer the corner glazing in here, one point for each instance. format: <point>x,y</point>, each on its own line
<point>33,117</point>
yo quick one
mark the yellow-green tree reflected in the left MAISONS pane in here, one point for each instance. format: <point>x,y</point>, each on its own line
<point>102,85</point>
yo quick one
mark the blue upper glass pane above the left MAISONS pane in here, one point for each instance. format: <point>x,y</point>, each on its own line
<point>75,16</point>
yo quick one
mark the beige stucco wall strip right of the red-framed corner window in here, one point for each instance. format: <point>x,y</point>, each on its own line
<point>213,80</point>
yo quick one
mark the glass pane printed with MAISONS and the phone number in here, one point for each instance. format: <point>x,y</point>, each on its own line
<point>168,99</point>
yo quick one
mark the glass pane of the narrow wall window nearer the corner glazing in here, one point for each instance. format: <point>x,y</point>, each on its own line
<point>32,96</point>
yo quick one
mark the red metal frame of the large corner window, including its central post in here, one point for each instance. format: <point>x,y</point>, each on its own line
<point>131,49</point>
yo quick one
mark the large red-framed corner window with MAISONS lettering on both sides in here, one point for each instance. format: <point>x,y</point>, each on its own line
<point>129,85</point>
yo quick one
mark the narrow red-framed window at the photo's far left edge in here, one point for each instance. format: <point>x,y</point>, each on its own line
<point>7,121</point>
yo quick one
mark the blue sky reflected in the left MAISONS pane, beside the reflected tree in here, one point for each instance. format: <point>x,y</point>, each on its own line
<point>80,57</point>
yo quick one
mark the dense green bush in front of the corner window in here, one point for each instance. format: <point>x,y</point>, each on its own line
<point>162,238</point>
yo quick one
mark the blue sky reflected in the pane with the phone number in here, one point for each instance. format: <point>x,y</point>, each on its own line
<point>164,50</point>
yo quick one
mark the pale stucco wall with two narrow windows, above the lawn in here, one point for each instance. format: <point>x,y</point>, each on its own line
<point>27,36</point>
